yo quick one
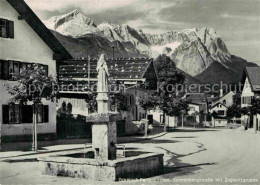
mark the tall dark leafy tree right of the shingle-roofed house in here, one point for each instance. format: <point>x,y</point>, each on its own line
<point>168,97</point>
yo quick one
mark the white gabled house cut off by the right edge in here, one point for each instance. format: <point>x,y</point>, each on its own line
<point>250,92</point>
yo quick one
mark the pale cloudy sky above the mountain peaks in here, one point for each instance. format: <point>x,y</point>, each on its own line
<point>236,21</point>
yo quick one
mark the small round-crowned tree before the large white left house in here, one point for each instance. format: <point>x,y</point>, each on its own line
<point>33,85</point>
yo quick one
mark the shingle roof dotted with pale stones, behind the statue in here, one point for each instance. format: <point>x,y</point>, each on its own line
<point>123,68</point>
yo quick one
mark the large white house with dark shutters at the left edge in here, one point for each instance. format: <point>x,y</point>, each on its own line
<point>25,40</point>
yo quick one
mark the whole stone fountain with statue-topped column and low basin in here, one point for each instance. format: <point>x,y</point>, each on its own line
<point>100,162</point>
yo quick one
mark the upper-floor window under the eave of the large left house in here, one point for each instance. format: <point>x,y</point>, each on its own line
<point>6,28</point>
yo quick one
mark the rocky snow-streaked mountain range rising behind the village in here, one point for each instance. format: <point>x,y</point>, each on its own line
<point>193,50</point>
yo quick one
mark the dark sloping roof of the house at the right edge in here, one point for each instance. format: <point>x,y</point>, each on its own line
<point>253,74</point>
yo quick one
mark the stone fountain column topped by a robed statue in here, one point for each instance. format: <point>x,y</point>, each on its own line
<point>104,124</point>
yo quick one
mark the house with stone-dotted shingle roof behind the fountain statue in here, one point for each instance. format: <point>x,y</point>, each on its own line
<point>136,75</point>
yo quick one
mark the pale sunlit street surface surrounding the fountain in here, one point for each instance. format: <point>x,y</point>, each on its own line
<point>189,153</point>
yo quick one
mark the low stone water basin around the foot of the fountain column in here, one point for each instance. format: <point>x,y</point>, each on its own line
<point>70,164</point>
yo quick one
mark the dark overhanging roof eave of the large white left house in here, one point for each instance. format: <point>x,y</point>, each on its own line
<point>36,24</point>
